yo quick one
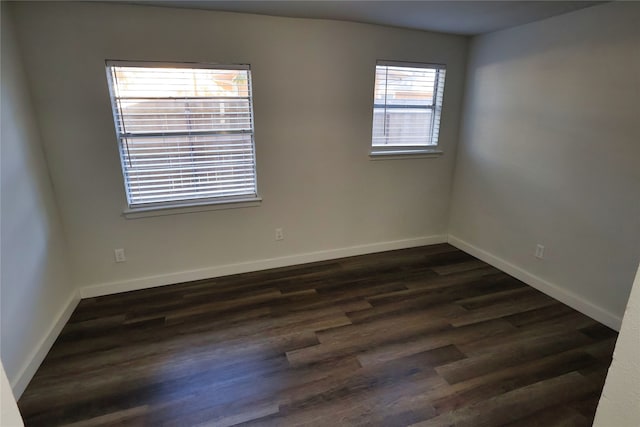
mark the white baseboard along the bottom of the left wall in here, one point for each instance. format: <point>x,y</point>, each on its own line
<point>35,358</point>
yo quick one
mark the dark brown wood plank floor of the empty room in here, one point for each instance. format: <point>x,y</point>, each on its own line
<point>427,336</point>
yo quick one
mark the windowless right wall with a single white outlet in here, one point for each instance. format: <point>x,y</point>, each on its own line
<point>549,154</point>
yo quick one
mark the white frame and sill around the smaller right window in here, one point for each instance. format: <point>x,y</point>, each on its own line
<point>411,151</point>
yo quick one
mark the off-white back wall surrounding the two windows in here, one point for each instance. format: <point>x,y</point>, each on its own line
<point>313,92</point>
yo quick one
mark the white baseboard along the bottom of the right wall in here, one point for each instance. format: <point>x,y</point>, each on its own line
<point>566,297</point>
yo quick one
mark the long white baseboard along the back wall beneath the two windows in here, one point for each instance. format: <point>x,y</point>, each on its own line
<point>245,267</point>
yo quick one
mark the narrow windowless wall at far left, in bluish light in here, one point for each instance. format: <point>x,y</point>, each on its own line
<point>35,287</point>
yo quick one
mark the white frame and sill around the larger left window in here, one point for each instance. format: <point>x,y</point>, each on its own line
<point>184,205</point>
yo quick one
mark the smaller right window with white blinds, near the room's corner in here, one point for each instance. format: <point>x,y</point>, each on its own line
<point>406,108</point>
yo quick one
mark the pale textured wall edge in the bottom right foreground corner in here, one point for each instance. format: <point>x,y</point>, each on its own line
<point>620,402</point>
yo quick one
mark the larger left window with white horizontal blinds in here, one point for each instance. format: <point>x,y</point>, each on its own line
<point>185,133</point>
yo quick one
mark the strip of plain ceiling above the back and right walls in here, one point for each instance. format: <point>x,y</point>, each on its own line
<point>451,16</point>
